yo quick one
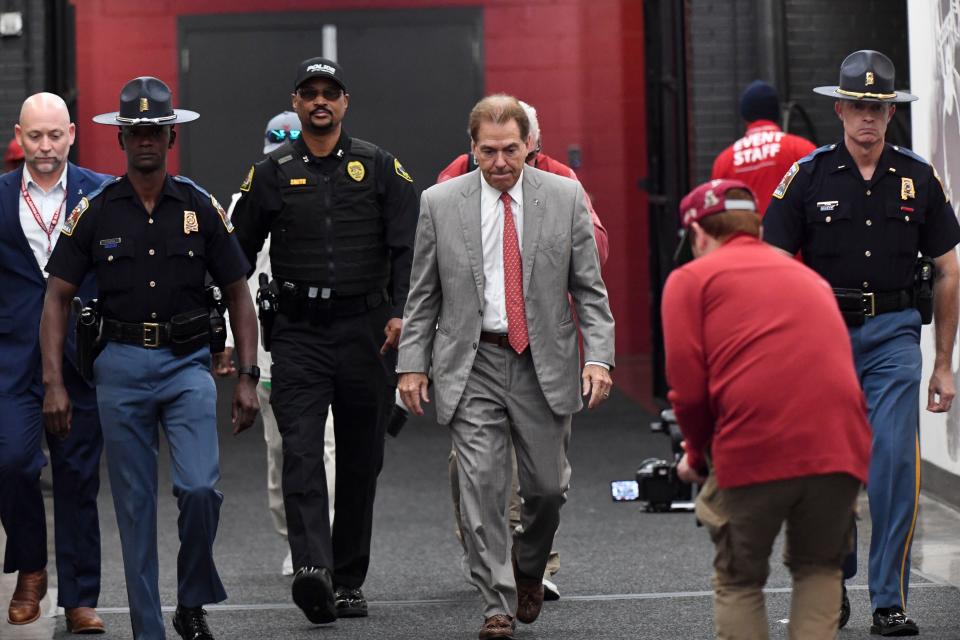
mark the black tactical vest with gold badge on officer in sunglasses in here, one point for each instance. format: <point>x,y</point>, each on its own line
<point>330,231</point>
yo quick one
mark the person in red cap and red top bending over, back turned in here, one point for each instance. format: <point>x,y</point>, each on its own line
<point>774,421</point>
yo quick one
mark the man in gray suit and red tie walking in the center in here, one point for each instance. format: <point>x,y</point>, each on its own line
<point>492,325</point>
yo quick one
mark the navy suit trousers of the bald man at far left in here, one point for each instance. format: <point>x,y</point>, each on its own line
<point>76,481</point>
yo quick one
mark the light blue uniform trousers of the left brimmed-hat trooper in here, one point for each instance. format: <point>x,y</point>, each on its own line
<point>139,390</point>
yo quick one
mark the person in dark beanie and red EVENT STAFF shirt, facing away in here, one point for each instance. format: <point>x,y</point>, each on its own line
<point>765,152</point>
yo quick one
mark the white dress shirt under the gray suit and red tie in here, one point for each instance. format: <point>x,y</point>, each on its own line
<point>491,237</point>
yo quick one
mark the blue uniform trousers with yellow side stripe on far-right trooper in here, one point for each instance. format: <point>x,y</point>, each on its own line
<point>886,352</point>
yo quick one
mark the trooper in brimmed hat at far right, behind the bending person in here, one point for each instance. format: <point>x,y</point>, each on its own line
<point>860,211</point>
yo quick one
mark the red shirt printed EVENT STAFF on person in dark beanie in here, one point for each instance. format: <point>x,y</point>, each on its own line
<point>760,158</point>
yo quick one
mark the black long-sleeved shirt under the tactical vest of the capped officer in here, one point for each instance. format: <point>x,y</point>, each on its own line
<point>260,201</point>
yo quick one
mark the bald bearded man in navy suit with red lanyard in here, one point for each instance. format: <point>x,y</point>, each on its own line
<point>35,200</point>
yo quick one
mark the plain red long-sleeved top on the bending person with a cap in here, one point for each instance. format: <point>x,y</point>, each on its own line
<point>761,368</point>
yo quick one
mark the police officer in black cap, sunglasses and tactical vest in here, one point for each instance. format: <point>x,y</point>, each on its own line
<point>342,214</point>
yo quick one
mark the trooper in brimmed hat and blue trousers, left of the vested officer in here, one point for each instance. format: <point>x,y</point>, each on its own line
<point>151,238</point>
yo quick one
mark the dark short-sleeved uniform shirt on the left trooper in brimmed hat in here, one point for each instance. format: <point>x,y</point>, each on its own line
<point>149,267</point>
